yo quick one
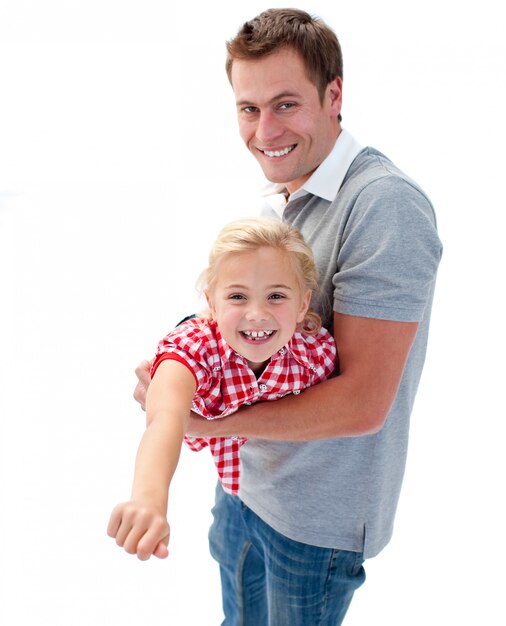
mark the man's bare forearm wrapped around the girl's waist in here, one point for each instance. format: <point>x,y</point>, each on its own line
<point>372,356</point>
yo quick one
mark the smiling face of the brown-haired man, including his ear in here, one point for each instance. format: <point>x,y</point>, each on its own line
<point>281,119</point>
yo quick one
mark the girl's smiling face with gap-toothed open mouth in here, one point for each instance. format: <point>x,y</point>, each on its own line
<point>257,303</point>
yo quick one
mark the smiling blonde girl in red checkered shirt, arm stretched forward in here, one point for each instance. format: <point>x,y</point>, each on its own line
<point>260,342</point>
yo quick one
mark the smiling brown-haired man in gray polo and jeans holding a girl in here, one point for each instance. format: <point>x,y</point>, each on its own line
<point>322,472</point>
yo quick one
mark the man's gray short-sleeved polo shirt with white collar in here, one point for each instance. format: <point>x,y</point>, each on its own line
<point>373,233</point>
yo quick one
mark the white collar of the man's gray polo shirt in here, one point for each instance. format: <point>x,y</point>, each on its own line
<point>325,180</point>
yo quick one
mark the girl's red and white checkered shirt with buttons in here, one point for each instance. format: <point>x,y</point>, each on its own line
<point>225,382</point>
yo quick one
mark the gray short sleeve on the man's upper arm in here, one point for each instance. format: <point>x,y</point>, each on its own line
<point>390,253</point>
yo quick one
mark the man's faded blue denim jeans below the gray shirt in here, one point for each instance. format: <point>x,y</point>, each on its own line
<point>270,580</point>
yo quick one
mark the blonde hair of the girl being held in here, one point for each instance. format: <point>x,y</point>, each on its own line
<point>247,235</point>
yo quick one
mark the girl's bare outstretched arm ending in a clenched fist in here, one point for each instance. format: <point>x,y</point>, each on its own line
<point>140,525</point>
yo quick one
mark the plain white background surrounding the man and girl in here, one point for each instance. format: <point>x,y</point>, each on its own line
<point>119,161</point>
